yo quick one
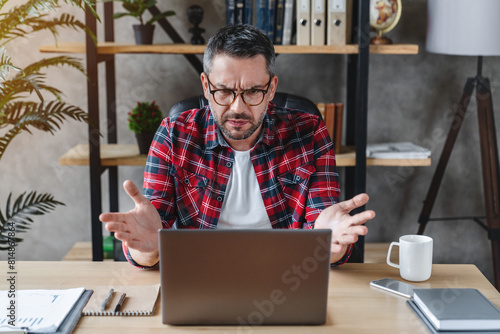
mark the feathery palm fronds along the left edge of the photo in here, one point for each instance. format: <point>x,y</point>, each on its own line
<point>22,96</point>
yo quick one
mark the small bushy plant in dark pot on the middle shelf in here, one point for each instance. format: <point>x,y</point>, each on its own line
<point>144,120</point>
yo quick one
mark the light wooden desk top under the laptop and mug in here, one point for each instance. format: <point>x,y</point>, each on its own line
<point>353,306</point>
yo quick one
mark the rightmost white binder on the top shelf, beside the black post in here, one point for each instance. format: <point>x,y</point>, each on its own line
<point>339,22</point>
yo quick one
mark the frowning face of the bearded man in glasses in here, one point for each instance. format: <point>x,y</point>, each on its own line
<point>239,122</point>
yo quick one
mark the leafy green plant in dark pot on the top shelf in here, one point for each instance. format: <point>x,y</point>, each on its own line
<point>136,8</point>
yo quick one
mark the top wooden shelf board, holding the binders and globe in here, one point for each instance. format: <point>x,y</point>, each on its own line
<point>115,48</point>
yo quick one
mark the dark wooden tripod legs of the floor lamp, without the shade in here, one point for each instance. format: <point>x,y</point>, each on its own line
<point>489,162</point>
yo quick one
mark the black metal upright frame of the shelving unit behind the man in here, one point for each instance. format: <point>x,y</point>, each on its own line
<point>356,115</point>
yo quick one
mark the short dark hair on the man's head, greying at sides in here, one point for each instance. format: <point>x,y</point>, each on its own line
<point>242,41</point>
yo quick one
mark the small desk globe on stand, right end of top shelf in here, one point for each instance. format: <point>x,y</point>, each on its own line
<point>384,16</point>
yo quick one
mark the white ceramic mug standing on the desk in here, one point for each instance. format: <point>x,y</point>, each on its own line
<point>415,257</point>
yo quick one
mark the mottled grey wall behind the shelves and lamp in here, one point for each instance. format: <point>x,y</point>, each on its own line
<point>410,99</point>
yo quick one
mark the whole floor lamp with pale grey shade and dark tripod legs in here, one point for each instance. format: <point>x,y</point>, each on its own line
<point>469,28</point>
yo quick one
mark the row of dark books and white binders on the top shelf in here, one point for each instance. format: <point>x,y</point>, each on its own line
<point>301,22</point>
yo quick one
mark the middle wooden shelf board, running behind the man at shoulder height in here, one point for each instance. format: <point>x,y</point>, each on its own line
<point>128,155</point>
